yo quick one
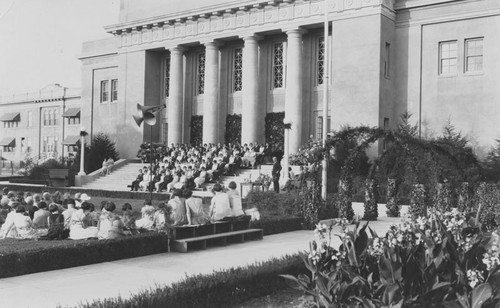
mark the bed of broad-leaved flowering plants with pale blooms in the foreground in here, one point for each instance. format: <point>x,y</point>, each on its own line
<point>441,261</point>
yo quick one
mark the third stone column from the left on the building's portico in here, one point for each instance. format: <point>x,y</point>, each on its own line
<point>250,87</point>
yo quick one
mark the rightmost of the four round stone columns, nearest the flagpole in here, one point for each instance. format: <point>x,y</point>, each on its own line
<point>294,84</point>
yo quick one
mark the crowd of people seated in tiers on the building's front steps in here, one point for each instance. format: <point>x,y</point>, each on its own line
<point>191,167</point>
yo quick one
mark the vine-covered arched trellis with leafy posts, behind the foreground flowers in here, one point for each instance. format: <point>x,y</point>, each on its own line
<point>407,157</point>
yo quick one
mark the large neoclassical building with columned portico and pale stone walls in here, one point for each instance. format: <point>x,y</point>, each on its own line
<point>438,60</point>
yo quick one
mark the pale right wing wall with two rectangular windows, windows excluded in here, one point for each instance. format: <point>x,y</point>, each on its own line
<point>467,100</point>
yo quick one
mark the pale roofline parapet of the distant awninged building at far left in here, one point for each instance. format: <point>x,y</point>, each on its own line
<point>49,93</point>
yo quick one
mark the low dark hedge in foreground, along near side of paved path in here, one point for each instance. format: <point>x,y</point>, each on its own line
<point>220,289</point>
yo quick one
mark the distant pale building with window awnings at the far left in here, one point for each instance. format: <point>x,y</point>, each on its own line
<point>44,124</point>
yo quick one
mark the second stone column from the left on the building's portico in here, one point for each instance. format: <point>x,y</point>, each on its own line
<point>211,95</point>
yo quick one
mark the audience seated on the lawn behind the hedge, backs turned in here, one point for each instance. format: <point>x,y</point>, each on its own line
<point>60,221</point>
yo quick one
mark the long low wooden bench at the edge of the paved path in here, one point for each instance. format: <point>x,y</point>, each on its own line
<point>220,239</point>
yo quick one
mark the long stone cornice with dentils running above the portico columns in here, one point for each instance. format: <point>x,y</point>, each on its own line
<point>229,21</point>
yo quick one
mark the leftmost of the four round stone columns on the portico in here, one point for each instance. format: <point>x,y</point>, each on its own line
<point>176,97</point>
